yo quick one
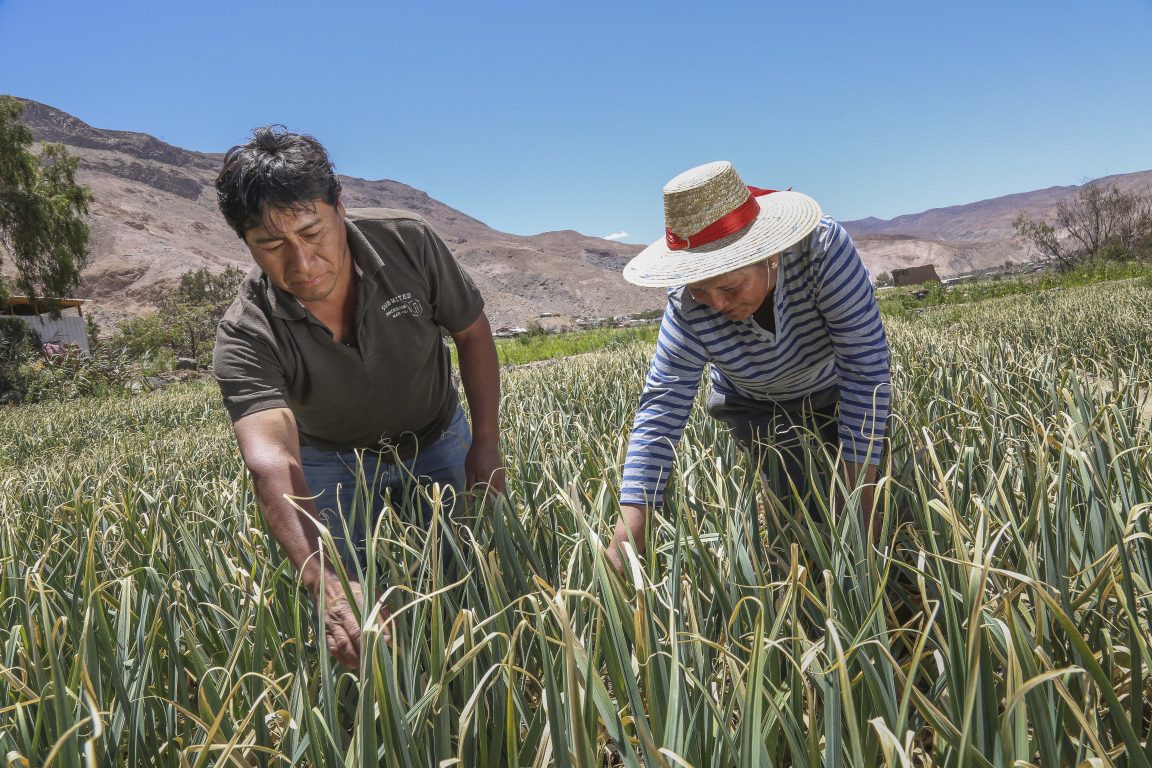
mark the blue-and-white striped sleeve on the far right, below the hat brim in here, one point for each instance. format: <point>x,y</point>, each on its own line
<point>847,302</point>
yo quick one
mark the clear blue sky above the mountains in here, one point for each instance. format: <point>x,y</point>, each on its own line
<point>535,117</point>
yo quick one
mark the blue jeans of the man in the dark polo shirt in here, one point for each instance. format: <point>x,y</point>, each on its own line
<point>351,485</point>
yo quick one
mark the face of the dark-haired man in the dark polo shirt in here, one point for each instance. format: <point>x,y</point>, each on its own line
<point>305,252</point>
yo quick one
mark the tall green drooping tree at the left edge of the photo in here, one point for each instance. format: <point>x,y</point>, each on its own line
<point>42,211</point>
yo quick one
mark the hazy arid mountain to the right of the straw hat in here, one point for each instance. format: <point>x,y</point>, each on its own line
<point>965,238</point>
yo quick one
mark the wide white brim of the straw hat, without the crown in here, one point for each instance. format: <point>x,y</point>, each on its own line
<point>785,219</point>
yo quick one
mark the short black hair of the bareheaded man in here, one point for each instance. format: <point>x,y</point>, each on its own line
<point>274,171</point>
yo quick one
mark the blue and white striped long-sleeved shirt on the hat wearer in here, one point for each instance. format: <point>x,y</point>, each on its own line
<point>829,333</point>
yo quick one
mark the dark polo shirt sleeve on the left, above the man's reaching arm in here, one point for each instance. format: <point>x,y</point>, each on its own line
<point>248,372</point>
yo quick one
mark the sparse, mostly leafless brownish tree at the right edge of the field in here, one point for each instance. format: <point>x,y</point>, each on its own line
<point>1095,225</point>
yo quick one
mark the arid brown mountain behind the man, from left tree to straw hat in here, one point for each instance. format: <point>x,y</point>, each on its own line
<point>155,218</point>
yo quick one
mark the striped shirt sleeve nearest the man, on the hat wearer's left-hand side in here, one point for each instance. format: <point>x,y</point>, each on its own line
<point>670,390</point>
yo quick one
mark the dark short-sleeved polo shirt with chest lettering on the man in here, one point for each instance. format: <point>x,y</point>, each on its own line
<point>395,386</point>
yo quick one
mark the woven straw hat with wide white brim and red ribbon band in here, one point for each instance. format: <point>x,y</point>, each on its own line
<point>716,224</point>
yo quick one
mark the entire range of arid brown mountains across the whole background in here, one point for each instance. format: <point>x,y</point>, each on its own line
<point>155,218</point>
